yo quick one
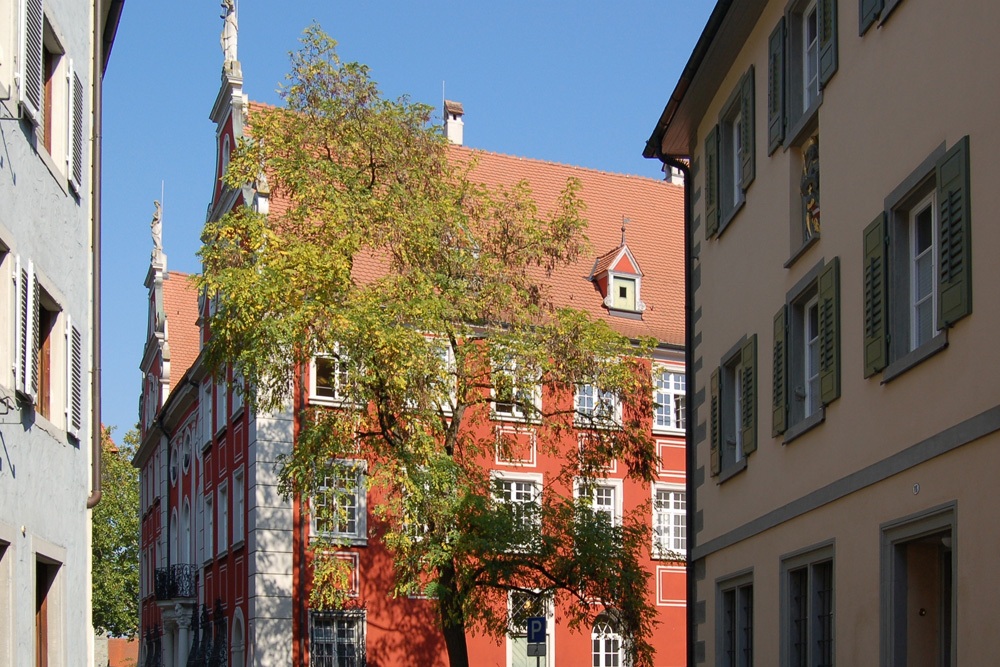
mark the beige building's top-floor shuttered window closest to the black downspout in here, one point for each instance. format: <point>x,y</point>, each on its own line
<point>729,157</point>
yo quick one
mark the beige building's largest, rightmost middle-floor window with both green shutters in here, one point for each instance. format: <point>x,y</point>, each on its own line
<point>917,264</point>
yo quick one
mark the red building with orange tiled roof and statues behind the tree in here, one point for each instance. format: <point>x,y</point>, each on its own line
<point>225,559</point>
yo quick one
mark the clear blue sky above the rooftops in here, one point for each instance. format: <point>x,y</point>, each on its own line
<point>581,83</point>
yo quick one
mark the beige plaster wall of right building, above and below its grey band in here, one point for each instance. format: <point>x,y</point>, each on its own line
<point>924,78</point>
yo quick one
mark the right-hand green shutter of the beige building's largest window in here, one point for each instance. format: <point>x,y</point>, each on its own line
<point>955,253</point>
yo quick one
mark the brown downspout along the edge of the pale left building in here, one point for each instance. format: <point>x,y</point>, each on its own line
<point>102,49</point>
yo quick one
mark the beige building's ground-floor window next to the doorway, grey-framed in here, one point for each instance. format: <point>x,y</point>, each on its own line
<point>807,608</point>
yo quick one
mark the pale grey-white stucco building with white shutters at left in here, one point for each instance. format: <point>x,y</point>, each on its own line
<point>52,58</point>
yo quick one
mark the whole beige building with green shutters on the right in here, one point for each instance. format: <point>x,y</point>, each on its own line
<point>844,434</point>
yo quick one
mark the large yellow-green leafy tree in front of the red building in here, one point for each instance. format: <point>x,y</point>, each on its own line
<point>428,292</point>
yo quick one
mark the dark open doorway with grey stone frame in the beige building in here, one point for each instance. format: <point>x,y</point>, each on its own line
<point>918,571</point>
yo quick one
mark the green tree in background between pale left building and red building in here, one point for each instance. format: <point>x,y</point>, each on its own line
<point>115,541</point>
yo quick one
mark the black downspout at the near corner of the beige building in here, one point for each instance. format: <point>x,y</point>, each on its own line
<point>689,458</point>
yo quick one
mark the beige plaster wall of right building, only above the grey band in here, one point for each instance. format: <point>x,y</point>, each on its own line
<point>899,92</point>
